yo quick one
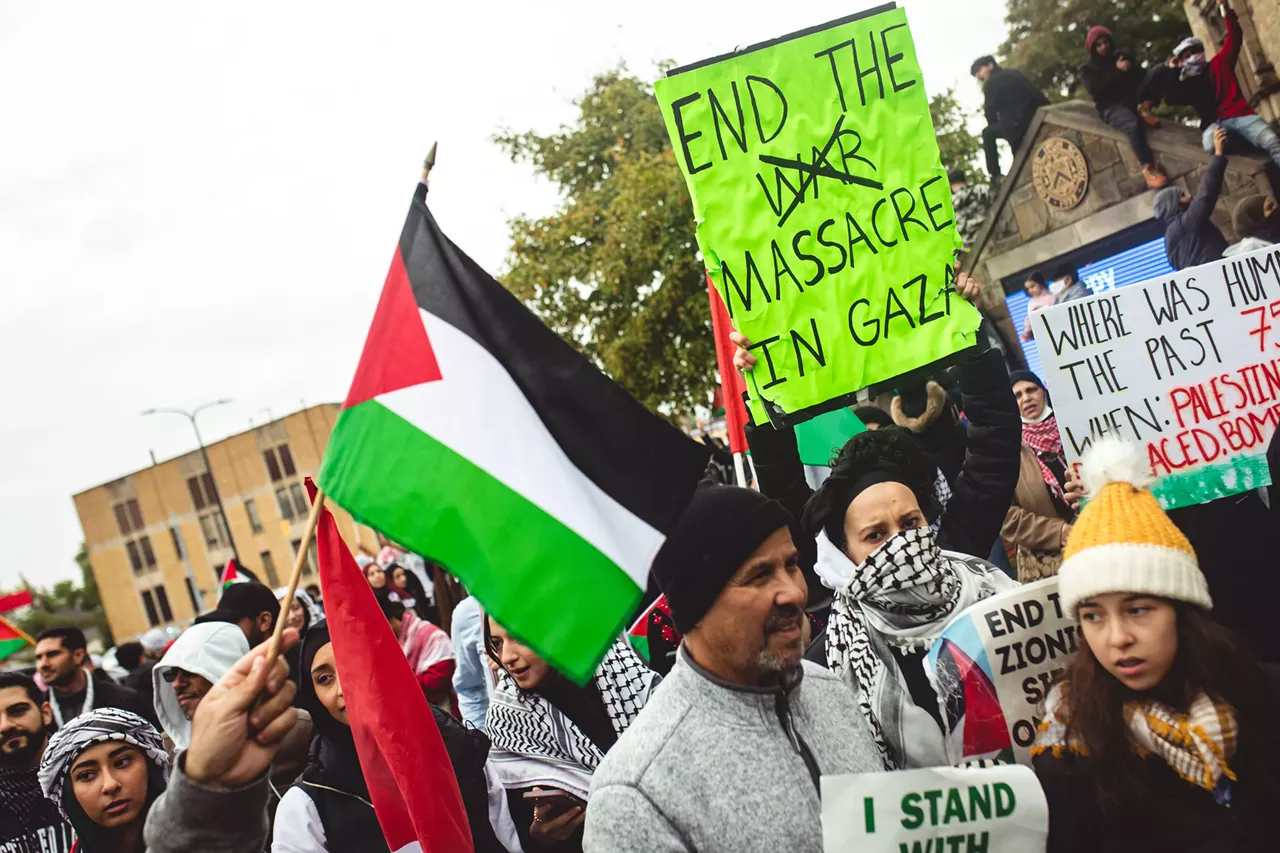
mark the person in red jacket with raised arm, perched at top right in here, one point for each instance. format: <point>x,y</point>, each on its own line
<point>1210,86</point>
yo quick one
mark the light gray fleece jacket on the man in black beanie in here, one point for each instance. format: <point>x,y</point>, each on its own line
<point>712,768</point>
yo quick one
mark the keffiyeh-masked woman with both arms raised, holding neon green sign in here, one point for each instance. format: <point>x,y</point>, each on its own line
<point>899,565</point>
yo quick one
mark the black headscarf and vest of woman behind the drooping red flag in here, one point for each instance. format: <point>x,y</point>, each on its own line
<point>336,782</point>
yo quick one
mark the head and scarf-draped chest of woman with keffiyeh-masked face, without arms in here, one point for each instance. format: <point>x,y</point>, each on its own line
<point>872,517</point>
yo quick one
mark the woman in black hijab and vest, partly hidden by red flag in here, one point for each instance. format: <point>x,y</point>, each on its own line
<point>330,810</point>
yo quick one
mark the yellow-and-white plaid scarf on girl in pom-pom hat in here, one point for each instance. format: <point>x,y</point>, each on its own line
<point>1197,746</point>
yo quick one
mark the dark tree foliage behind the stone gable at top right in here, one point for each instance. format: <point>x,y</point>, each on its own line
<point>1046,38</point>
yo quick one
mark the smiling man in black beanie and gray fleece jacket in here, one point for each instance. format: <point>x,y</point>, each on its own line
<point>740,713</point>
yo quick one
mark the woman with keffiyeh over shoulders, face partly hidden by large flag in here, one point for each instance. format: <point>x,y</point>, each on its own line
<point>550,735</point>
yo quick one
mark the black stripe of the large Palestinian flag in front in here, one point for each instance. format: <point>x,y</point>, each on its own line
<point>646,464</point>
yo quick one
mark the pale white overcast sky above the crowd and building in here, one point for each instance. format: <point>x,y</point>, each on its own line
<point>202,200</point>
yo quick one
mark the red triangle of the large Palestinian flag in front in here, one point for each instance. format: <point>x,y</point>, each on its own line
<point>397,352</point>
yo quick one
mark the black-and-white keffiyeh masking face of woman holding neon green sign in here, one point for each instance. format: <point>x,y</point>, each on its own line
<point>900,600</point>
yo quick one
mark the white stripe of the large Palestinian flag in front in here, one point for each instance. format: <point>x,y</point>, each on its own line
<point>479,412</point>
